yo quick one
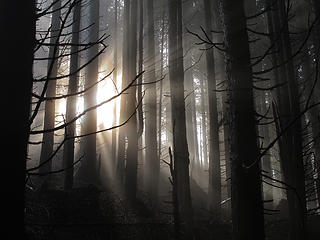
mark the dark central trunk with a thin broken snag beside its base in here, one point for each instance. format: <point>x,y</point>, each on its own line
<point>181,154</point>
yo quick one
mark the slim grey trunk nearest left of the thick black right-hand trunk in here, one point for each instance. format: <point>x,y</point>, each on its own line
<point>214,191</point>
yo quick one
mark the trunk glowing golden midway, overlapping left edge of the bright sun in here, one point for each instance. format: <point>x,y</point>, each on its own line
<point>88,169</point>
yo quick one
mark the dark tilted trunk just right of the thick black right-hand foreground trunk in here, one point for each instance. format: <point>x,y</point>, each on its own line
<point>287,98</point>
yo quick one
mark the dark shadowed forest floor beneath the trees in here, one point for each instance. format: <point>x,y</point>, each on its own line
<point>90,213</point>
